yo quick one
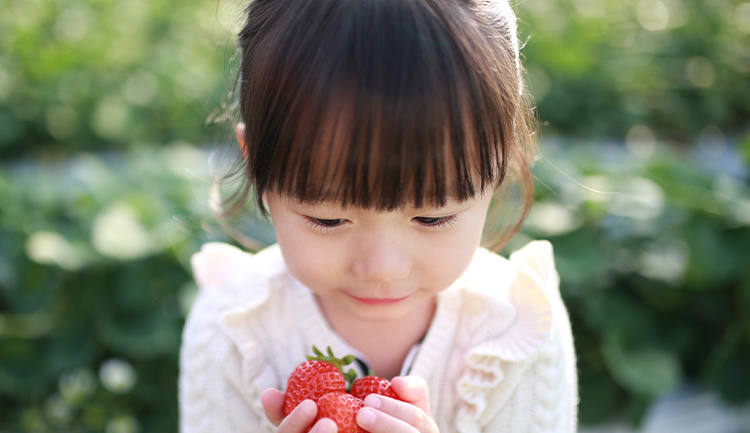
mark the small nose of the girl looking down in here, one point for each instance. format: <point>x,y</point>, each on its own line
<point>382,260</point>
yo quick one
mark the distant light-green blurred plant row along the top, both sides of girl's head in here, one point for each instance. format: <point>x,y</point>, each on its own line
<point>93,74</point>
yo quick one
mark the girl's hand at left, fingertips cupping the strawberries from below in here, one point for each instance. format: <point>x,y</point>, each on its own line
<point>299,419</point>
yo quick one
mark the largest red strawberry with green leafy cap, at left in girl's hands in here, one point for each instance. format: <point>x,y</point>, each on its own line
<point>314,378</point>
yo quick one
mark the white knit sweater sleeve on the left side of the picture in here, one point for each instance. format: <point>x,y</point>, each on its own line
<point>214,395</point>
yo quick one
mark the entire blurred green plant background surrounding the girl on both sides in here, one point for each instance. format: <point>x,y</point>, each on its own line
<point>109,114</point>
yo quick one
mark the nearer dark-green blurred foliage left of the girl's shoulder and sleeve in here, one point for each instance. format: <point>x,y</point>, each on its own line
<point>95,286</point>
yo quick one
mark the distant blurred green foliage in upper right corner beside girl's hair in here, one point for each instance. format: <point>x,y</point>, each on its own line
<point>598,67</point>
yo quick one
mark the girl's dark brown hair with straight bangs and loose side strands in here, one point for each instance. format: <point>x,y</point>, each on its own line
<point>382,103</point>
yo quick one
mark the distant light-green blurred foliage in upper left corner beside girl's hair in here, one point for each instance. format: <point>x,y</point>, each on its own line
<point>92,74</point>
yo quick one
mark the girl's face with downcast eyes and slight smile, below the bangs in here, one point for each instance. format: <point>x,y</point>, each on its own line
<point>377,266</point>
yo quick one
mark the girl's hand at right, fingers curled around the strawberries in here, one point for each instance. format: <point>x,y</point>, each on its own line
<point>386,415</point>
